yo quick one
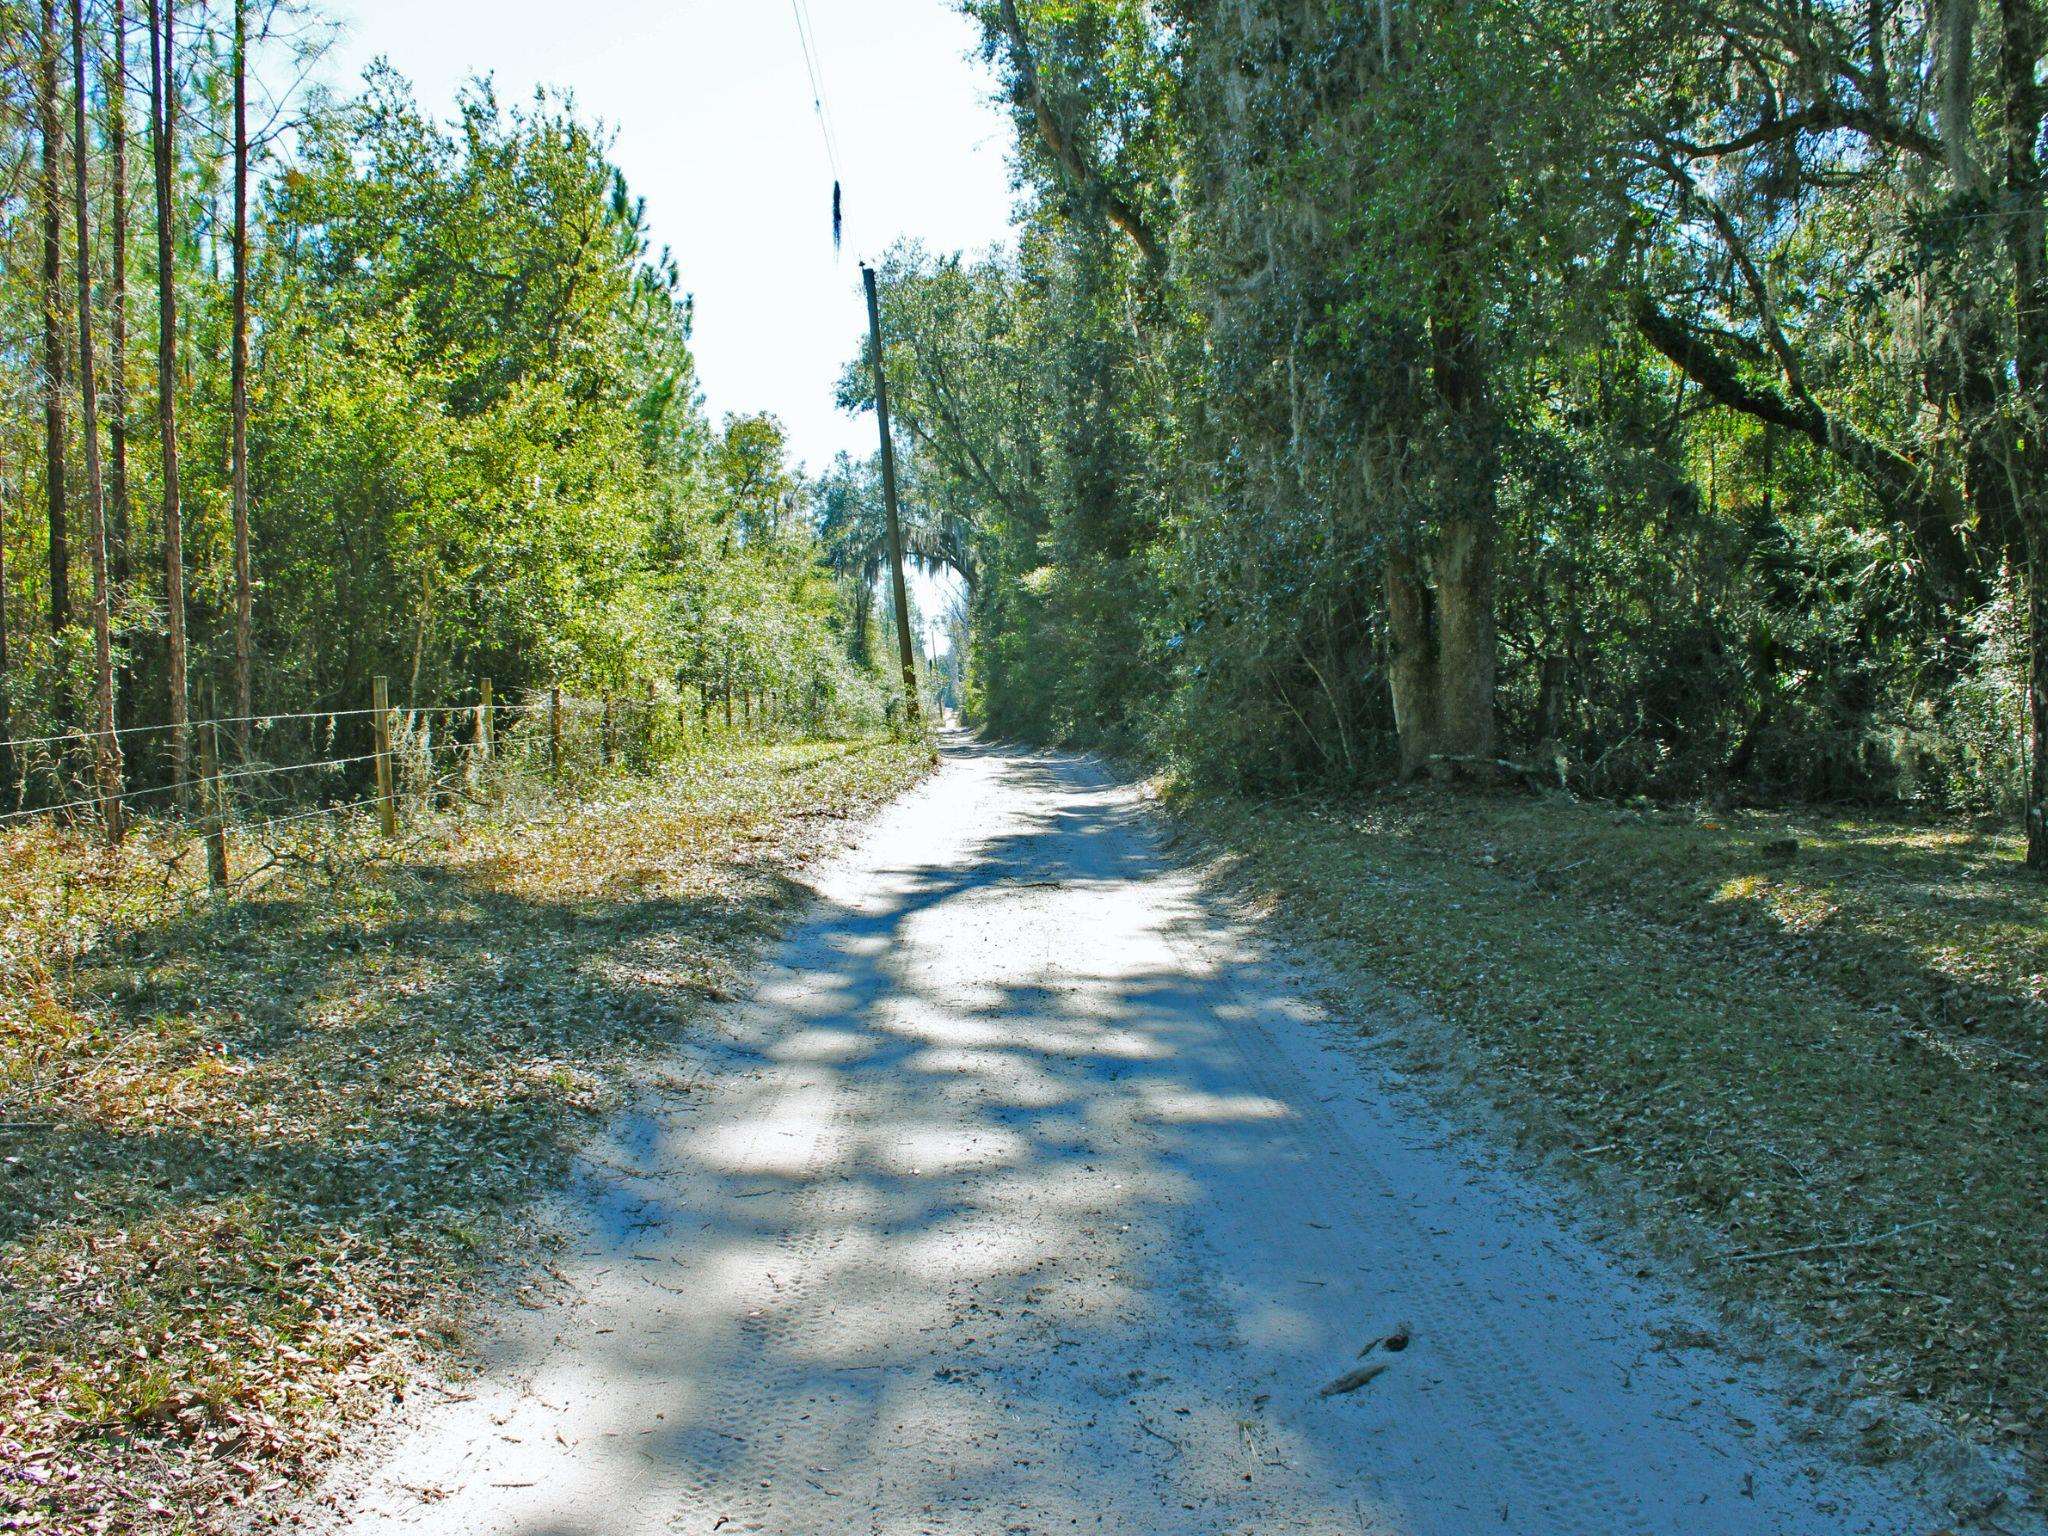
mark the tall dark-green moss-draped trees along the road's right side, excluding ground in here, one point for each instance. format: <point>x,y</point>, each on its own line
<point>1648,394</point>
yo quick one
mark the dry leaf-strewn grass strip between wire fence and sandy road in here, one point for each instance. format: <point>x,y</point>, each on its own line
<point>253,1150</point>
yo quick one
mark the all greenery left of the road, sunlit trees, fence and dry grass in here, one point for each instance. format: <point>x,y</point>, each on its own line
<point>314,404</point>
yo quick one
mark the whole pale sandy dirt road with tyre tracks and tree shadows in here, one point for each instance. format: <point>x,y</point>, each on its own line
<point>1035,1201</point>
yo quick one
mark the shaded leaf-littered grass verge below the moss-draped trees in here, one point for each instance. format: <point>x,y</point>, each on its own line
<point>1822,1039</point>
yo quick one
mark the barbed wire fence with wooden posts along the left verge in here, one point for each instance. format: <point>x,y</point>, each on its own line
<point>351,775</point>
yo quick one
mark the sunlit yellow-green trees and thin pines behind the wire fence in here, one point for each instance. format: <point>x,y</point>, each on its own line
<point>429,411</point>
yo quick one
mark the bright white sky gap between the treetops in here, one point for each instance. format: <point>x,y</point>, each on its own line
<point>714,122</point>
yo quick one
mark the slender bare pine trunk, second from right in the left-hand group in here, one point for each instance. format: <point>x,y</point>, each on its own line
<point>163,146</point>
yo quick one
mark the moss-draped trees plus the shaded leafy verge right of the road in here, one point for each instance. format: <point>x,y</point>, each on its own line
<point>1635,400</point>
